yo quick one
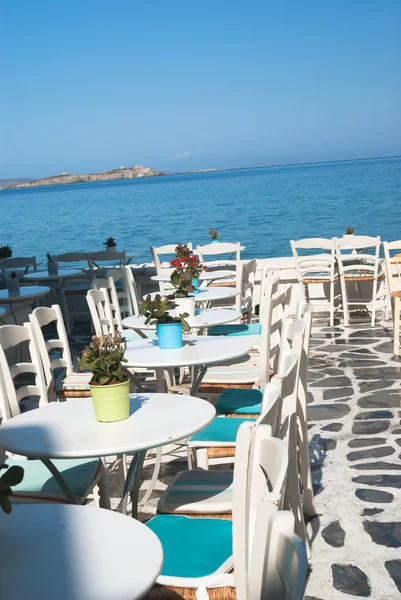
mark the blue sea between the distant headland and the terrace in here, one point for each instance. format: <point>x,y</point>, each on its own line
<point>262,208</point>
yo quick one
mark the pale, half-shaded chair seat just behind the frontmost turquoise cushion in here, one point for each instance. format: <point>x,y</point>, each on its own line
<point>199,491</point>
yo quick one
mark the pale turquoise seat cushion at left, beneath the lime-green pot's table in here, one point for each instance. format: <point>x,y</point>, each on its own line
<point>38,481</point>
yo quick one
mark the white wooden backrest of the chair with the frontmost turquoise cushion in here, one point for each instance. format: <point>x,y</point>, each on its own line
<point>260,469</point>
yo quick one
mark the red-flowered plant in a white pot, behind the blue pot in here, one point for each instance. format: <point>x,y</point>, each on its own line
<point>185,278</point>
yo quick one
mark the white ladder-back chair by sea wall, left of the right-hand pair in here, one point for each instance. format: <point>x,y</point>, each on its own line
<point>319,271</point>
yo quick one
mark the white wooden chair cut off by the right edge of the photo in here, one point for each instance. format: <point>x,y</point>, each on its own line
<point>393,271</point>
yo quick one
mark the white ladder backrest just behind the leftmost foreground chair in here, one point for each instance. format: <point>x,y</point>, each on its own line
<point>54,352</point>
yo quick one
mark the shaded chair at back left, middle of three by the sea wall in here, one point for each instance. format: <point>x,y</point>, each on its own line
<point>74,286</point>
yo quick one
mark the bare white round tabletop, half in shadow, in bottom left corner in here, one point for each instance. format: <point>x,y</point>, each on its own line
<point>75,553</point>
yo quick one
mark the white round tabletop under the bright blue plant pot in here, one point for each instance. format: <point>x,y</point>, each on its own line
<point>196,350</point>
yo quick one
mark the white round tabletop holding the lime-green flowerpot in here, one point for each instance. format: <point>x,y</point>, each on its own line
<point>70,430</point>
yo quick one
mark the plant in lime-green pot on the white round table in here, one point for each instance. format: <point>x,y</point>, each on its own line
<point>109,385</point>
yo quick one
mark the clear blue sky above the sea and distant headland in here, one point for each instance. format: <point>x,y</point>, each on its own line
<point>90,85</point>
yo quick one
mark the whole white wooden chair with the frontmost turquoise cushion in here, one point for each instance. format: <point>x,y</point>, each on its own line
<point>187,540</point>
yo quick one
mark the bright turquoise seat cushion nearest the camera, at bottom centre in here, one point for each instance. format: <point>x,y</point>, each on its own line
<point>192,547</point>
